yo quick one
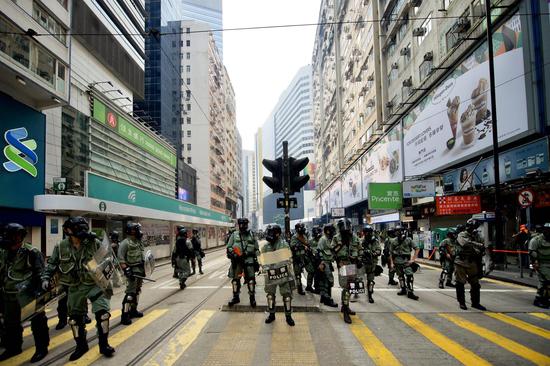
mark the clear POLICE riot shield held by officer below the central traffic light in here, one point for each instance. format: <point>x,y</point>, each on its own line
<point>277,266</point>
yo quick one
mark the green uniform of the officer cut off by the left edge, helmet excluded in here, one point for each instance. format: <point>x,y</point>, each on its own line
<point>17,268</point>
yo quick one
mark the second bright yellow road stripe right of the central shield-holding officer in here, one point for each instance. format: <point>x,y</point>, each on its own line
<point>461,354</point>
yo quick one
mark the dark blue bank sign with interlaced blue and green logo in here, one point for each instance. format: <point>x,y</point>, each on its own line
<point>22,150</point>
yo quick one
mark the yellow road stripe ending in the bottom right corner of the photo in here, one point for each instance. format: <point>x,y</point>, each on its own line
<point>506,343</point>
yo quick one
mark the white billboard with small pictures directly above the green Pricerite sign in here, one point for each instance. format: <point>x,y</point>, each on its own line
<point>382,162</point>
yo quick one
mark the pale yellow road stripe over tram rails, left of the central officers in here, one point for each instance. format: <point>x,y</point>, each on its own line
<point>179,343</point>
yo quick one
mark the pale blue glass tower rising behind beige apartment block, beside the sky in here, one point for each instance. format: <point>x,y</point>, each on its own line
<point>207,11</point>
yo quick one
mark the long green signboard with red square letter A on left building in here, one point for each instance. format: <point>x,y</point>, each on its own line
<point>127,130</point>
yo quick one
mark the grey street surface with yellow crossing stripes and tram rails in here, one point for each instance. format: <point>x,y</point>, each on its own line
<point>192,327</point>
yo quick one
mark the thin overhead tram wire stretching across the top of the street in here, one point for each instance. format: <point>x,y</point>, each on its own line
<point>261,27</point>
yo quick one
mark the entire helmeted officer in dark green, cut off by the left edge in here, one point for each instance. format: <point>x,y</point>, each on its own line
<point>20,265</point>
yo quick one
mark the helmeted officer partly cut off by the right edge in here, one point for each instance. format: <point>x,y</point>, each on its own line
<point>539,252</point>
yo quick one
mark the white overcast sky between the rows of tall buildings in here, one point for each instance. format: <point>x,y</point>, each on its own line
<point>262,63</point>
